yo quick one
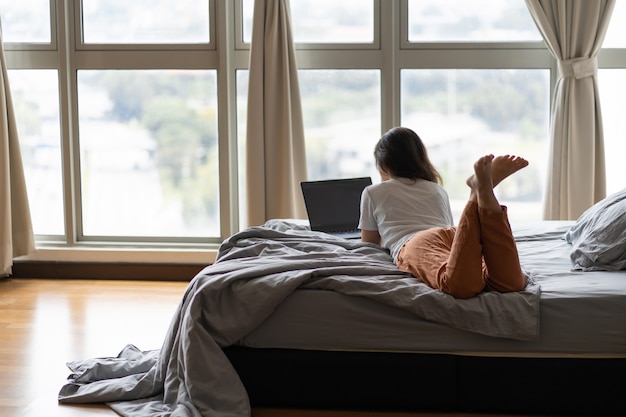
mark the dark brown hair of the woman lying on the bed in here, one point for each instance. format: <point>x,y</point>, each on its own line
<point>401,153</point>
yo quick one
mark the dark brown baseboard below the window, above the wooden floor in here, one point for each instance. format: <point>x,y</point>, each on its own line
<point>105,270</point>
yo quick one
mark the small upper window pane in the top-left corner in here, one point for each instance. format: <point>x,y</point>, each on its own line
<point>25,21</point>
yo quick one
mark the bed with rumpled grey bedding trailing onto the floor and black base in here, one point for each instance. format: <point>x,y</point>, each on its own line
<point>287,317</point>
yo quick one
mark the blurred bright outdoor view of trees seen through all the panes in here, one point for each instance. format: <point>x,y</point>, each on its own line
<point>147,140</point>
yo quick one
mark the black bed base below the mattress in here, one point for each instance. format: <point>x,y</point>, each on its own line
<point>286,378</point>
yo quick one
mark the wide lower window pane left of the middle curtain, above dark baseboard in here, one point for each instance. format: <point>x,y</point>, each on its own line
<point>148,153</point>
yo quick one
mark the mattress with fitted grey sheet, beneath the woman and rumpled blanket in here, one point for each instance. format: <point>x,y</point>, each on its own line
<point>582,314</point>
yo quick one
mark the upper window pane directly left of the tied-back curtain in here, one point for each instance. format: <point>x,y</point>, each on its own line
<point>470,21</point>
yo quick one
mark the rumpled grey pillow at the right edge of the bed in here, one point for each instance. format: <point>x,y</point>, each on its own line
<point>598,237</point>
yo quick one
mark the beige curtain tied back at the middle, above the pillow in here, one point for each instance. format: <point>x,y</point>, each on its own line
<point>574,31</point>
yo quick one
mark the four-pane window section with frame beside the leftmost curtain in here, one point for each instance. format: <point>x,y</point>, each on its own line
<point>117,109</point>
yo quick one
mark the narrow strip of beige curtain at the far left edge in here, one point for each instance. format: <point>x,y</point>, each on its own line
<point>16,231</point>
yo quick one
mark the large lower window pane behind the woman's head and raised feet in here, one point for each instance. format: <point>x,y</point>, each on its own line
<point>463,114</point>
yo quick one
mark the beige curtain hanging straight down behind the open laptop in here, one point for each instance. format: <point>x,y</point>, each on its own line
<point>275,151</point>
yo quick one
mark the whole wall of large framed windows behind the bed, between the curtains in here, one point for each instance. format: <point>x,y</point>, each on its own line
<point>132,114</point>
